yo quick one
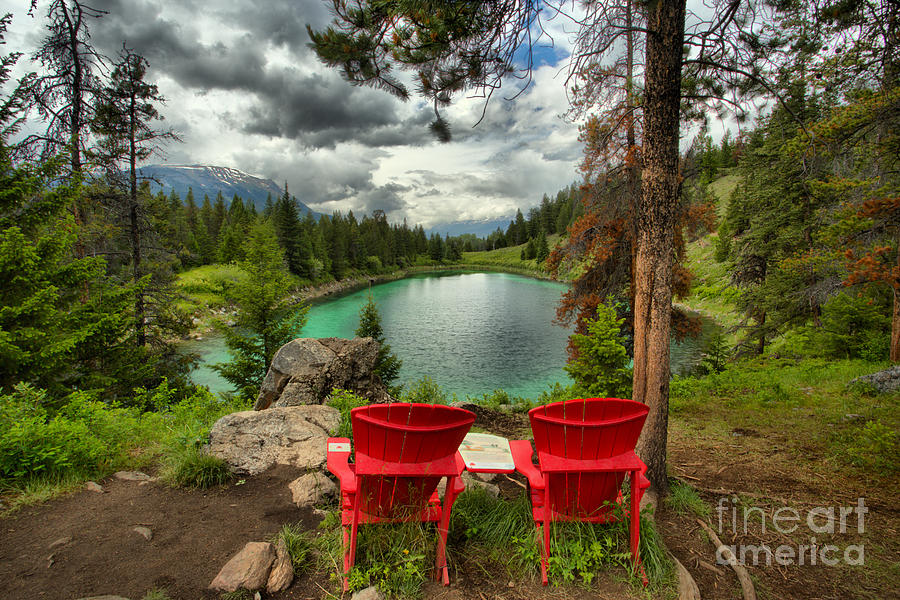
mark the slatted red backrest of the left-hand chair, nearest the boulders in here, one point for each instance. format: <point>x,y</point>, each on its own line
<point>406,434</point>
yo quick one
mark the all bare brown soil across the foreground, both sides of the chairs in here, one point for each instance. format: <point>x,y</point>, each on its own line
<point>84,544</point>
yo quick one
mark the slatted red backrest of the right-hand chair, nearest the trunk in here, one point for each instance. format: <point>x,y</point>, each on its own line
<point>587,429</point>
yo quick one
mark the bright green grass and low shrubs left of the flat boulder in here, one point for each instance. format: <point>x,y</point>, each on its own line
<point>57,450</point>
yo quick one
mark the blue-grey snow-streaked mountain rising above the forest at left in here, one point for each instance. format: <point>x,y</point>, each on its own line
<point>210,180</point>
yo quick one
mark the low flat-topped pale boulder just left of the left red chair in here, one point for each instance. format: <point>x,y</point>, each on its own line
<point>253,441</point>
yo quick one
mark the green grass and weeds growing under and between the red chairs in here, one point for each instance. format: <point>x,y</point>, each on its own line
<point>496,536</point>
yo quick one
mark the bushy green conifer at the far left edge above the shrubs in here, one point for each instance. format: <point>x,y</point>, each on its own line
<point>63,324</point>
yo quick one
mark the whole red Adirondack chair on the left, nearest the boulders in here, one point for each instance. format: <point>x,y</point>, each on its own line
<point>402,453</point>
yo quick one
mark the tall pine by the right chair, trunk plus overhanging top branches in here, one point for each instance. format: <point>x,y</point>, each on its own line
<point>475,46</point>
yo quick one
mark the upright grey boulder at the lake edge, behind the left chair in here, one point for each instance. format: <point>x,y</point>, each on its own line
<point>305,370</point>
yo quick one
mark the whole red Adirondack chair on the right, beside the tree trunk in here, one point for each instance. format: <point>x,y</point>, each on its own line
<point>585,449</point>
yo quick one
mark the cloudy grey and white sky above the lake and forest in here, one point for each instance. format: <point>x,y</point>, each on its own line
<point>245,91</point>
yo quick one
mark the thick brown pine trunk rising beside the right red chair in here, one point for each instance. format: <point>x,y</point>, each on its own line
<point>656,229</point>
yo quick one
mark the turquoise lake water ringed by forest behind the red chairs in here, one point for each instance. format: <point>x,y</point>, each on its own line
<point>471,333</point>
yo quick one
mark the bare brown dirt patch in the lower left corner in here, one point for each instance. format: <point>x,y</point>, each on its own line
<point>194,534</point>
